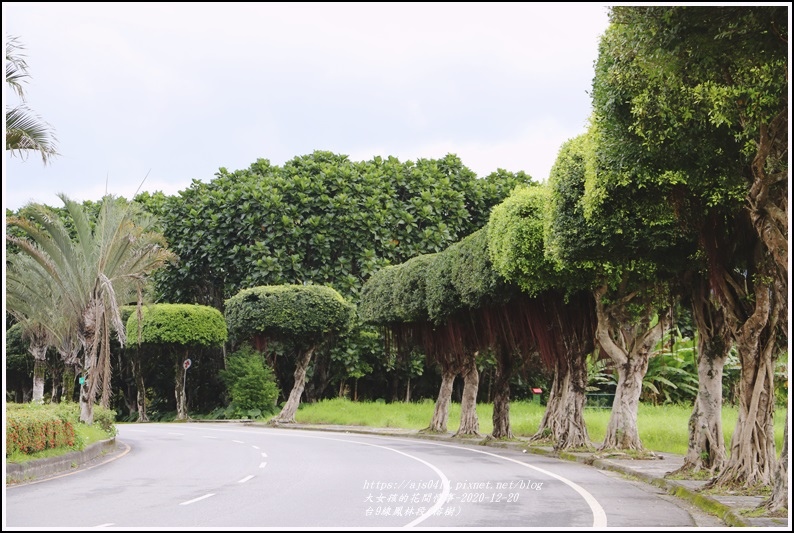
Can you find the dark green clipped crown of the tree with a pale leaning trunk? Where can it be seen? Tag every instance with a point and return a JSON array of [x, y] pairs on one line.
[[302, 314]]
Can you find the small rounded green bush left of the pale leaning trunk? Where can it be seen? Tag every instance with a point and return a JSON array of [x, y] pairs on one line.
[[251, 383]]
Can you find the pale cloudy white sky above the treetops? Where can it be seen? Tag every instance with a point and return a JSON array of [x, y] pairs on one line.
[[151, 96]]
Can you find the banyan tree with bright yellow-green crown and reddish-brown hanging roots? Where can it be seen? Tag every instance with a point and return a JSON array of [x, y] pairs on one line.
[[558, 315]]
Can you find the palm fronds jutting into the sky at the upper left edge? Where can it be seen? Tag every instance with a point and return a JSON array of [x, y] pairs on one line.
[[25, 131]]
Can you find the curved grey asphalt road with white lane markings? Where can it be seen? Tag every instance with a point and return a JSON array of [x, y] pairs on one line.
[[212, 476]]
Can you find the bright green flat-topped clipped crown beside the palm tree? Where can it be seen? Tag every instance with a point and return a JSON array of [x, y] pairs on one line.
[[180, 324]]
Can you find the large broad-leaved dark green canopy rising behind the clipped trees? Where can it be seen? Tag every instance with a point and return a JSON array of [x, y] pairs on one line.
[[320, 219]]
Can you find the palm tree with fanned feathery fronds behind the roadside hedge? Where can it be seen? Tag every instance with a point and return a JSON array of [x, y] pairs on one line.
[[105, 266]]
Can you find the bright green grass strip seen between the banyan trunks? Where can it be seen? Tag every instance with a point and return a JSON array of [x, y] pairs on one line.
[[662, 428]]
